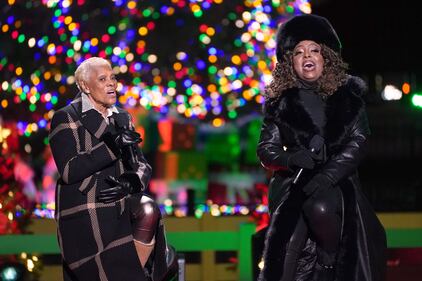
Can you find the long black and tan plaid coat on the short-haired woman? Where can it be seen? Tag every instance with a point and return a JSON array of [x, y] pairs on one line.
[[95, 239]]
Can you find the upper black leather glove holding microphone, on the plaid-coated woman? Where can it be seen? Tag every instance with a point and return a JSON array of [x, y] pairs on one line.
[[123, 138]]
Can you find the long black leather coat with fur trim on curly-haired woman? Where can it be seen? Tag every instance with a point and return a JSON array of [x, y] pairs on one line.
[[288, 127]]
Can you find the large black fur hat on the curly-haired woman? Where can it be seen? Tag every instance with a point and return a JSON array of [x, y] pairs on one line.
[[306, 27]]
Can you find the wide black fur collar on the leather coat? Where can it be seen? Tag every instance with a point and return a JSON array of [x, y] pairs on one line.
[[343, 107]]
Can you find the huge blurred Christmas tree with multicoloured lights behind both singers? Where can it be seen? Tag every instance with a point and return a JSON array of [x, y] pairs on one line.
[[207, 60]]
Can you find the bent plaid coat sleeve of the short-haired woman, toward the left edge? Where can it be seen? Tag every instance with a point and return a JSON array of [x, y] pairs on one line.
[[73, 164]]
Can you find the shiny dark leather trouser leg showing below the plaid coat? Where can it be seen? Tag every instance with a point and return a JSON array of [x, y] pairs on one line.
[[145, 214]]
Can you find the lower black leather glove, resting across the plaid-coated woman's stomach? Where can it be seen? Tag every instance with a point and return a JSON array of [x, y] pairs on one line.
[[127, 183]]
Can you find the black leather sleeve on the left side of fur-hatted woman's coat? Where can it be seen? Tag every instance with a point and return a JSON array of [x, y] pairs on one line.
[[270, 148]]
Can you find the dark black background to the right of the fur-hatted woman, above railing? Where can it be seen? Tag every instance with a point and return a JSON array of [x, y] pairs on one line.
[[384, 38]]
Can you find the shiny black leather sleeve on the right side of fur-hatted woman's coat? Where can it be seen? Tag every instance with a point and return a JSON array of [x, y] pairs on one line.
[[345, 162]]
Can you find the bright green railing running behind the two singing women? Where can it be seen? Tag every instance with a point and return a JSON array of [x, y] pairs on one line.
[[397, 237]]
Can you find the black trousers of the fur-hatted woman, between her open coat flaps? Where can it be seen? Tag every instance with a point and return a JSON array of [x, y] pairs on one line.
[[321, 220]]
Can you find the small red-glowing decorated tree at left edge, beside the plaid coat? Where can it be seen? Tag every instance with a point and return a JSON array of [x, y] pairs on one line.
[[15, 206]]
